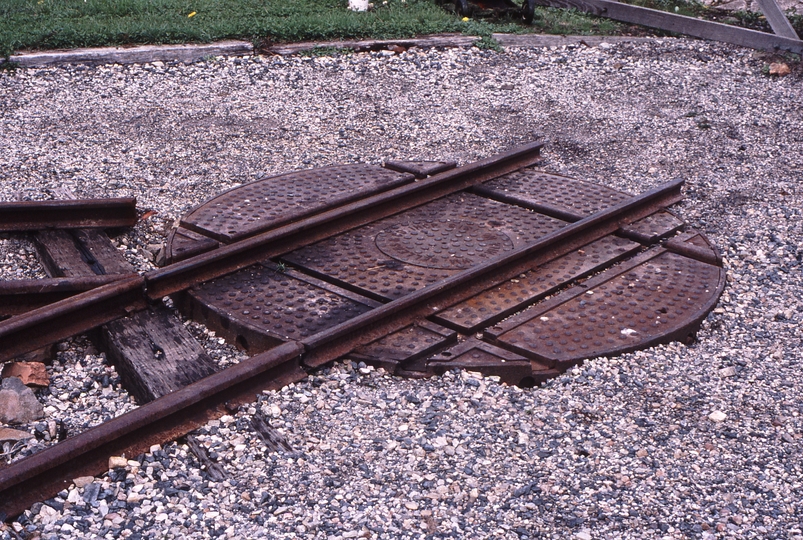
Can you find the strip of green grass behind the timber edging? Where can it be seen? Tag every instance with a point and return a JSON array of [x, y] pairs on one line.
[[53, 24]]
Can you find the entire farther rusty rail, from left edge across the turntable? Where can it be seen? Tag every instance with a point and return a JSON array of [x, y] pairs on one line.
[[102, 306]]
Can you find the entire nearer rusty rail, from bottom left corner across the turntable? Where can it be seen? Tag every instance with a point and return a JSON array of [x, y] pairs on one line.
[[44, 474]]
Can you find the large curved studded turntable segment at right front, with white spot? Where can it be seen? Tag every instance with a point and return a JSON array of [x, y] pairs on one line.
[[654, 298]]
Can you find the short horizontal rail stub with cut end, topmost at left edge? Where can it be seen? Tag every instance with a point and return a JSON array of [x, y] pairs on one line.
[[67, 214]]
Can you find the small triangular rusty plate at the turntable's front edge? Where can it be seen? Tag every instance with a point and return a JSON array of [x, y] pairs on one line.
[[476, 355]]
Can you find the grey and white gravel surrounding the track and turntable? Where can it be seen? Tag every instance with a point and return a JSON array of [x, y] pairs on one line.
[[676, 441]]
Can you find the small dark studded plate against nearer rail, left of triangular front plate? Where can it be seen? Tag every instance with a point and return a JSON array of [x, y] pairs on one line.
[[409, 344]]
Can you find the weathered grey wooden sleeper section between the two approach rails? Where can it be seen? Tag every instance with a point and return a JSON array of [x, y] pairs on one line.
[[155, 354]]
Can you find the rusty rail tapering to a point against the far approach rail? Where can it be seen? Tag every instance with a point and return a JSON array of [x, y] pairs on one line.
[[23, 295]]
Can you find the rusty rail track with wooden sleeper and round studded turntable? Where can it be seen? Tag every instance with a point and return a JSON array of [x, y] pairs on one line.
[[417, 267]]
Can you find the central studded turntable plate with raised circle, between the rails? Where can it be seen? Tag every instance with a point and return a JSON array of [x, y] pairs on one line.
[[395, 256]]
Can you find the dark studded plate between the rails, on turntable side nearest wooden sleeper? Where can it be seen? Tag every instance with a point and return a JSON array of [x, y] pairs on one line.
[[259, 307]]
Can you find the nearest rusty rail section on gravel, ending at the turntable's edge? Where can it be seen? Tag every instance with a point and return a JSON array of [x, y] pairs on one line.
[[41, 475]]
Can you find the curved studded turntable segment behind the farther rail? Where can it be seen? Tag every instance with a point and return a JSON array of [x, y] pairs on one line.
[[269, 203]]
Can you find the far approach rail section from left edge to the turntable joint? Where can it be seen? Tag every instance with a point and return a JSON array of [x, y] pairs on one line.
[[79, 313]]
